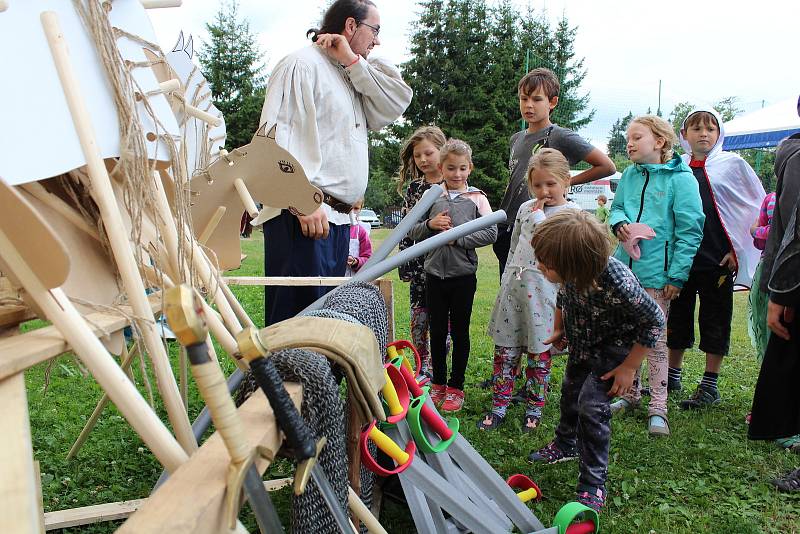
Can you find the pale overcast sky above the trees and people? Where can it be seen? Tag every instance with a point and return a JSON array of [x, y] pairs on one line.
[[701, 50]]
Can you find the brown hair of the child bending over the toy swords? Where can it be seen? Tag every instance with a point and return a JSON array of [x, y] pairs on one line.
[[575, 245]]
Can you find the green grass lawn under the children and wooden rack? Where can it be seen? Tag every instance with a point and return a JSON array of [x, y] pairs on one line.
[[707, 477]]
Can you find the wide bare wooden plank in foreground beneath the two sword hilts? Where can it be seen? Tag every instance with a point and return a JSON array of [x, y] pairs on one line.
[[192, 499]]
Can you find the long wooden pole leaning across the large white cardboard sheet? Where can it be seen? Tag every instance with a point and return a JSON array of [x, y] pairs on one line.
[[103, 195]]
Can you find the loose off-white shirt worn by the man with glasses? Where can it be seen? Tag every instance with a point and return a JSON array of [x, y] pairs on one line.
[[323, 112]]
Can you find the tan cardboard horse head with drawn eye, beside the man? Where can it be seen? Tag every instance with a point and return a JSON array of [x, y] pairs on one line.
[[271, 175]]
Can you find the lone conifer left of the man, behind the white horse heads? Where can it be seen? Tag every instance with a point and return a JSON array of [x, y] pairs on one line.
[[232, 64]]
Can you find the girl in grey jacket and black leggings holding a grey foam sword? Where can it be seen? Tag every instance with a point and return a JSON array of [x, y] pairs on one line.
[[450, 271]]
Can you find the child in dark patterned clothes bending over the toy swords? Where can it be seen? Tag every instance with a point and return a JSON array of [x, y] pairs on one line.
[[610, 322]]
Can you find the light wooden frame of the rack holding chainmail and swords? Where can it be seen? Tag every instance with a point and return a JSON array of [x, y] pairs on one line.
[[204, 472]]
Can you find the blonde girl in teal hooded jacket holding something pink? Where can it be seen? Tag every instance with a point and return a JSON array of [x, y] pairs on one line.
[[660, 191]]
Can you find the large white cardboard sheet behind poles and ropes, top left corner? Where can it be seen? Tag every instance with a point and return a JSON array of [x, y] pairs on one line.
[[37, 136]]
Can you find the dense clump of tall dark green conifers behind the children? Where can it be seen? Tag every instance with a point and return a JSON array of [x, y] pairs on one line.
[[466, 61]]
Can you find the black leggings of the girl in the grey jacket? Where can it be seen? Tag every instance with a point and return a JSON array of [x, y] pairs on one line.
[[450, 300]]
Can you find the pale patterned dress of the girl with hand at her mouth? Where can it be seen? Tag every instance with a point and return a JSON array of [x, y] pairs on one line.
[[524, 310]]
